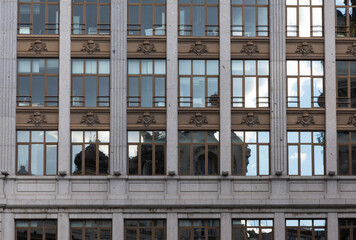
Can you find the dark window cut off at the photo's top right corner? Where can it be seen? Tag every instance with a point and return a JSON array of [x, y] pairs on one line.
[[345, 18]]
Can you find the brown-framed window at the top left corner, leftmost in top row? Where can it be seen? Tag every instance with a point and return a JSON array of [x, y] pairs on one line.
[[38, 17]]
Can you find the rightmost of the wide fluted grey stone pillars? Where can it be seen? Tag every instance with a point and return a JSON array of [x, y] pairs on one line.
[[278, 116]]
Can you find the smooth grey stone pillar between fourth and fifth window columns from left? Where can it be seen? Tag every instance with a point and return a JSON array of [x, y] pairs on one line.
[[225, 85]]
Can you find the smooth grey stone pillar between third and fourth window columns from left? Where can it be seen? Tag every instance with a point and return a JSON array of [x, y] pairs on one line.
[[172, 86]]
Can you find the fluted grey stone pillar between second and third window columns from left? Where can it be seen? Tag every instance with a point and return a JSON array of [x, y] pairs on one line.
[[118, 132]]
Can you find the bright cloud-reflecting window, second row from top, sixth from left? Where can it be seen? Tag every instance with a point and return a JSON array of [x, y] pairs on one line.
[[305, 84]]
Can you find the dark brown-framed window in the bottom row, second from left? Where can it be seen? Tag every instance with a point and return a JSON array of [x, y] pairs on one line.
[[90, 229]]
